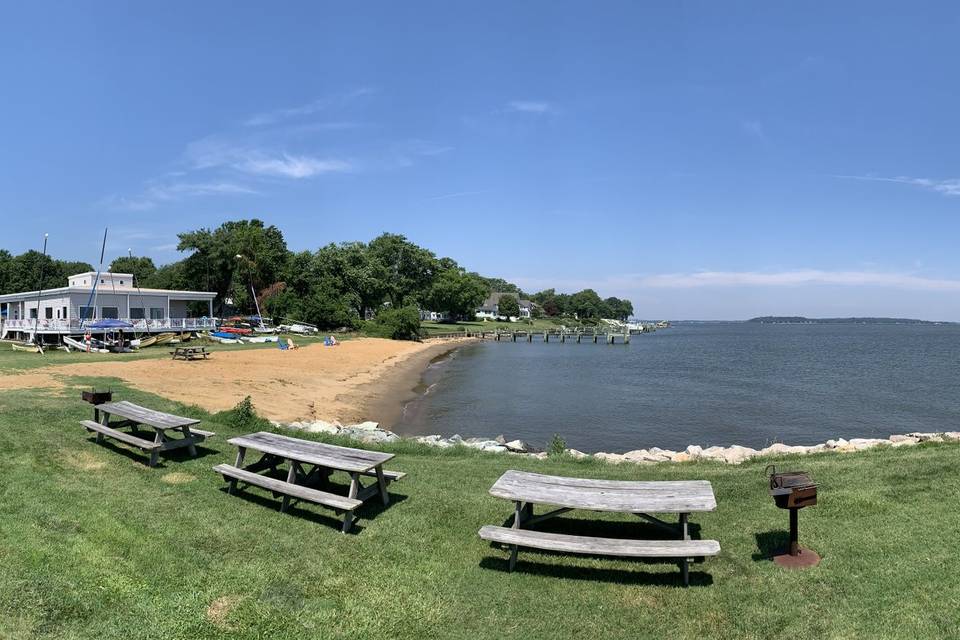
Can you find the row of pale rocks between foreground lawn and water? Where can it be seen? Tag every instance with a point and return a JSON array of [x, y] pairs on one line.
[[372, 433]]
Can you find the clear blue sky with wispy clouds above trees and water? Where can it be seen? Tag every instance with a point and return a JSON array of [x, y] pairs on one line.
[[706, 160]]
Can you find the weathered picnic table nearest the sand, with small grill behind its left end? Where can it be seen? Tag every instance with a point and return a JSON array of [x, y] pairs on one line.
[[135, 417]]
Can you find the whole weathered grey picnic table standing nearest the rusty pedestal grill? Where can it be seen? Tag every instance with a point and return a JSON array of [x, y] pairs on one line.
[[681, 498]]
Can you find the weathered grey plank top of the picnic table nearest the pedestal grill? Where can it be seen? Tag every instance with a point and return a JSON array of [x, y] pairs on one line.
[[685, 496]]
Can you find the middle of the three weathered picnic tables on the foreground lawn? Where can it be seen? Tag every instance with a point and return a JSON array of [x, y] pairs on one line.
[[310, 465]]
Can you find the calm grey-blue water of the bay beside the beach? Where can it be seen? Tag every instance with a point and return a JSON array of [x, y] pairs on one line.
[[709, 384]]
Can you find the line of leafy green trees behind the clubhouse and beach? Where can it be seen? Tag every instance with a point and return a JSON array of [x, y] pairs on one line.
[[338, 285]]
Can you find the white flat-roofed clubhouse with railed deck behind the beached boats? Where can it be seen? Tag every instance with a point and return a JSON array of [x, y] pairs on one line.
[[67, 310]]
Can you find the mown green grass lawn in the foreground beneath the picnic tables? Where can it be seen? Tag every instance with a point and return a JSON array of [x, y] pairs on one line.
[[94, 544]]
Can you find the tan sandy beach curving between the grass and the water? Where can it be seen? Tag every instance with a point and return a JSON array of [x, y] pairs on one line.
[[362, 379]]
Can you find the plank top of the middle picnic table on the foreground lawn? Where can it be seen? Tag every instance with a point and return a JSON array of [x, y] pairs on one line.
[[316, 453]]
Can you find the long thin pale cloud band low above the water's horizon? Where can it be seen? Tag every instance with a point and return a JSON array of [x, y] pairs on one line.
[[796, 278]]
